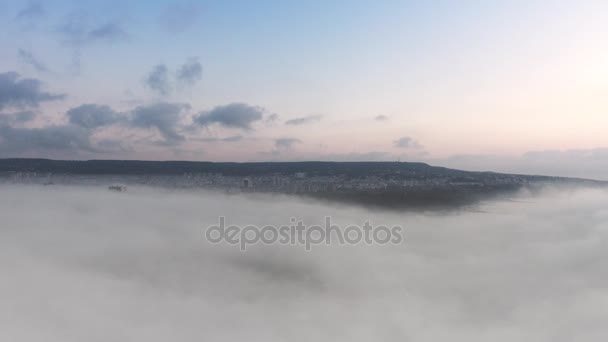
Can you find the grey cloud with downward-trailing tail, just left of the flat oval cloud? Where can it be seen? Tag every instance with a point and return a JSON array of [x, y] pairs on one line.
[[165, 117]]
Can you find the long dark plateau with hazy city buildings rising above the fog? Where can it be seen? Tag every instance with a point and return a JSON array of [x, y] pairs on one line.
[[398, 185]]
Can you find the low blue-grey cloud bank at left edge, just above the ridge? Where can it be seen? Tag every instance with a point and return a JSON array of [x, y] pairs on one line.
[[50, 138]]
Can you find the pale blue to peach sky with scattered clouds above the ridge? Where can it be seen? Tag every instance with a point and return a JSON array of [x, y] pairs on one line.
[[511, 86]]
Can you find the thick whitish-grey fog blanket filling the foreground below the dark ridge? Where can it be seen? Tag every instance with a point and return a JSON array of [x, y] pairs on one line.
[[85, 264]]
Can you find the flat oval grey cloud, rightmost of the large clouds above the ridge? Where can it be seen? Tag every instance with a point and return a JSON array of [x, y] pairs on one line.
[[233, 115]]
